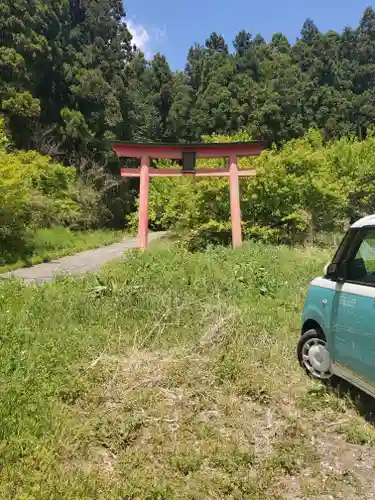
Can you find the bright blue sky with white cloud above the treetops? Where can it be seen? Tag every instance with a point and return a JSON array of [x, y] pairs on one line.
[[172, 26]]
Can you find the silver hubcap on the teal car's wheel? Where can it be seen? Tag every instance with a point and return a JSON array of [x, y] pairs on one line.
[[316, 358]]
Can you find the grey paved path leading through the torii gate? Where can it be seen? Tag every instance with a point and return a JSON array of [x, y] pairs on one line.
[[81, 263]]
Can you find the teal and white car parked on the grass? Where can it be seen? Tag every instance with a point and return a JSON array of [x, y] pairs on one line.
[[338, 325]]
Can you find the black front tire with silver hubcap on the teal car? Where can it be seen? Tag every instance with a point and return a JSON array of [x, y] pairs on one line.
[[313, 355]]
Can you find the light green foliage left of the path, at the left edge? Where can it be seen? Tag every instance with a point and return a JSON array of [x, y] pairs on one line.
[[35, 192]]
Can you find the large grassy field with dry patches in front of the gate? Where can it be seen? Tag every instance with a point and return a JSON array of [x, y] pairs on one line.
[[173, 376]]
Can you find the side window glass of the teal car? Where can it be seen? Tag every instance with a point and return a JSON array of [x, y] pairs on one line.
[[361, 268]]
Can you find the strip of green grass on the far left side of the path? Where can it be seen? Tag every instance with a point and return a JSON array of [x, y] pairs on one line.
[[57, 242]]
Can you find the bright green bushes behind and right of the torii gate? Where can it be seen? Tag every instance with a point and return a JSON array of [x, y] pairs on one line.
[[306, 188]]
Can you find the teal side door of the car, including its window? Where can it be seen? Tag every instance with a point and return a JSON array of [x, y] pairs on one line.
[[353, 312]]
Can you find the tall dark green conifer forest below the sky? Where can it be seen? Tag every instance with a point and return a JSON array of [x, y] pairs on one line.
[[72, 81]]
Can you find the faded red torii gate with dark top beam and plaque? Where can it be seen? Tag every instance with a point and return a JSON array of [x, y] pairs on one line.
[[188, 153]]
